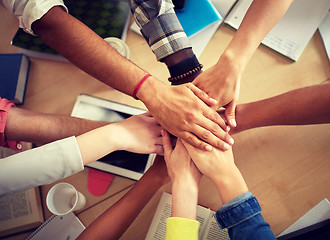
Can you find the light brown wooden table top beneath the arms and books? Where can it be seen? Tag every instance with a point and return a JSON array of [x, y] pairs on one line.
[[287, 168]]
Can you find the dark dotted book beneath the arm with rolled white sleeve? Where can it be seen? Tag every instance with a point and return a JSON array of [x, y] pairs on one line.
[[107, 18]]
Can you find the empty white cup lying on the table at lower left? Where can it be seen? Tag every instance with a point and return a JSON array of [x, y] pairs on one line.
[[63, 198]]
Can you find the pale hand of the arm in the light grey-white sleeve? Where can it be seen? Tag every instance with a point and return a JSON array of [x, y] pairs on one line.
[[140, 134]]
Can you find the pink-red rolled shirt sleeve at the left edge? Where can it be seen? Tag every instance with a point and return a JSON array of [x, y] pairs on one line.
[[4, 107]]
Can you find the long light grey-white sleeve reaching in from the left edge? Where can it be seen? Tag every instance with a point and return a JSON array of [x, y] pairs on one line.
[[39, 166]]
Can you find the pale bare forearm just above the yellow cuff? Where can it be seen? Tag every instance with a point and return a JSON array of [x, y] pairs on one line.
[[184, 198]]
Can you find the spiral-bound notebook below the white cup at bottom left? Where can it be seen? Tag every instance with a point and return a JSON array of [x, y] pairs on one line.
[[58, 227]]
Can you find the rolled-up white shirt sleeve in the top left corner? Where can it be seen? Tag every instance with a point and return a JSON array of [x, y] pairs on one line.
[[28, 11]]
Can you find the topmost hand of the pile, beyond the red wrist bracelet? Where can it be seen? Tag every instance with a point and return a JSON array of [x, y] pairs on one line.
[[183, 111]]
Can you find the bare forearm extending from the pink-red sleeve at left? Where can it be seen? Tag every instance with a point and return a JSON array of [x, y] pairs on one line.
[[28, 126]]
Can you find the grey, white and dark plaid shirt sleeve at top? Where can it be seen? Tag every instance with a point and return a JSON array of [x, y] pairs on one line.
[[159, 26]]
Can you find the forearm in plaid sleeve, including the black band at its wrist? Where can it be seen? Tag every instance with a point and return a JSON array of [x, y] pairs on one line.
[[156, 18]]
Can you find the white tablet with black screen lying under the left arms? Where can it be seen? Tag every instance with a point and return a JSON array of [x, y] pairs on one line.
[[122, 163]]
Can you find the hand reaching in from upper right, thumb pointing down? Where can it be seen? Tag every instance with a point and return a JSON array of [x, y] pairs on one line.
[[222, 82]]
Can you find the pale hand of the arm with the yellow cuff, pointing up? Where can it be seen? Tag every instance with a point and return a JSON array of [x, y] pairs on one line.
[[178, 162]]
